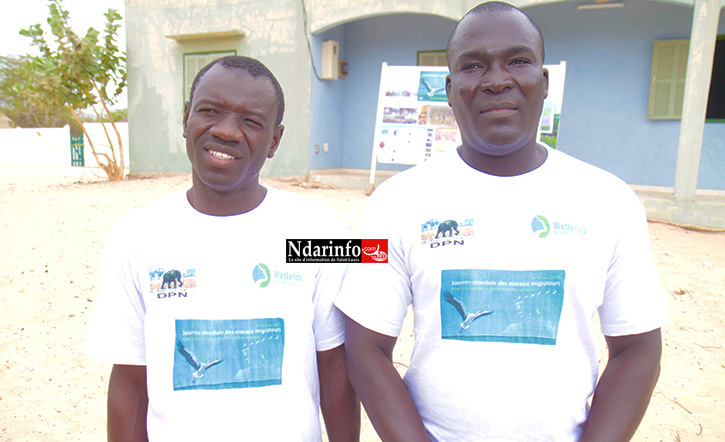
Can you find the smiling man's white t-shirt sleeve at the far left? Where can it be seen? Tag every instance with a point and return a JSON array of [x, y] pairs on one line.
[[116, 329]]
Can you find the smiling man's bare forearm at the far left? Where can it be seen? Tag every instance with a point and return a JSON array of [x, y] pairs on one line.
[[127, 403]]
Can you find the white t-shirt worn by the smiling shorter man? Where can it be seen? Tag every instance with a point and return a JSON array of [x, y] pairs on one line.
[[228, 331]]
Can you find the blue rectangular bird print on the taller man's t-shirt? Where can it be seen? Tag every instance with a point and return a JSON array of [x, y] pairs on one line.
[[520, 306]]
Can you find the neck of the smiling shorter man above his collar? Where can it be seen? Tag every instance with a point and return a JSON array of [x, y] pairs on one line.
[[233, 202]]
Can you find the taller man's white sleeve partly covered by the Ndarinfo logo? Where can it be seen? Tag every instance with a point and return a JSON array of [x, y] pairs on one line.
[[377, 295]]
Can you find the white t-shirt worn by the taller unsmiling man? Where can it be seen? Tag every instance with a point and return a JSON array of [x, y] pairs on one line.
[[504, 275]]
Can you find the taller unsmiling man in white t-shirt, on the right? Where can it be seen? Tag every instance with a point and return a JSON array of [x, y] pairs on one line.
[[505, 249]]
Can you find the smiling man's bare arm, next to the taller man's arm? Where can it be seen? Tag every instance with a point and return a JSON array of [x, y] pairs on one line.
[[338, 401]]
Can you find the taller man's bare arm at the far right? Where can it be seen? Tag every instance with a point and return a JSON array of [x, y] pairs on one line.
[[625, 388]]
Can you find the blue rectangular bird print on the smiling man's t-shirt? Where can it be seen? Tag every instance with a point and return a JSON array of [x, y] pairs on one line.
[[216, 354]]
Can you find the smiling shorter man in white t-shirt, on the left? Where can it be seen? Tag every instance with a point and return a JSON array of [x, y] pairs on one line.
[[213, 336]]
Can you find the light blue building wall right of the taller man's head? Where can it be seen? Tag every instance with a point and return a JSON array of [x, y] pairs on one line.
[[604, 113]]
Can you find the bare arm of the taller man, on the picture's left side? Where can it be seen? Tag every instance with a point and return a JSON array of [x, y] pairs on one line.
[[383, 393]]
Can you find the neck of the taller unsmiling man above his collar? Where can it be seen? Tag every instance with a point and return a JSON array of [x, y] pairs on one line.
[[516, 163]]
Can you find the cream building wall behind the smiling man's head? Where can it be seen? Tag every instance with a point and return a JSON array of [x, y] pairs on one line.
[[273, 34]]
